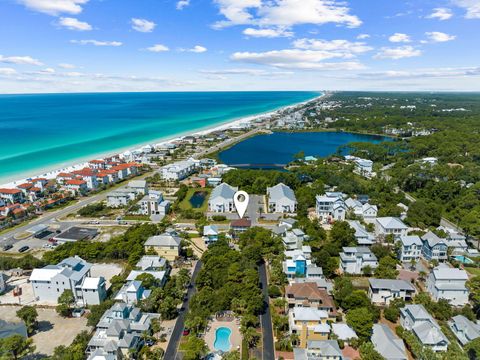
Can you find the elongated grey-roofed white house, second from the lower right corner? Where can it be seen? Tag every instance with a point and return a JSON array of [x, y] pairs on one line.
[[415, 318]]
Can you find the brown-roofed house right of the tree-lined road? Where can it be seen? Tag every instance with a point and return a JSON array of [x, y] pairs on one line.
[[308, 294]]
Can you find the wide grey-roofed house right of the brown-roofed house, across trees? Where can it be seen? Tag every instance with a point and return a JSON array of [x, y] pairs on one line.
[[382, 291]]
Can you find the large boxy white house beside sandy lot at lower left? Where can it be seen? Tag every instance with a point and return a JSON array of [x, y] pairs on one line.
[[73, 273]]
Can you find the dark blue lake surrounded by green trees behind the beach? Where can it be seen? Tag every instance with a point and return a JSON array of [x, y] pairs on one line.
[[277, 149]]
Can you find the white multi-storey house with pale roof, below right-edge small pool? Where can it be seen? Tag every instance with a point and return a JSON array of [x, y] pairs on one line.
[[448, 283]]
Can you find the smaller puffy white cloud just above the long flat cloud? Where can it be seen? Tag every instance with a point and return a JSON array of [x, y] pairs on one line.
[[342, 48]]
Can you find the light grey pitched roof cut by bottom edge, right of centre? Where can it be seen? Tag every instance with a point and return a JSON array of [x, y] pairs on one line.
[[387, 344]]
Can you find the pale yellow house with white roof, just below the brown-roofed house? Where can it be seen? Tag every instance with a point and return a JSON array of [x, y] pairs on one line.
[[309, 324]]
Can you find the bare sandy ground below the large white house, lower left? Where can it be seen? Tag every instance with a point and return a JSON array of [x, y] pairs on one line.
[[53, 329]]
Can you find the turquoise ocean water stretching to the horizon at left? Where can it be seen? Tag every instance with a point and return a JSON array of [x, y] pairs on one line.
[[39, 132]]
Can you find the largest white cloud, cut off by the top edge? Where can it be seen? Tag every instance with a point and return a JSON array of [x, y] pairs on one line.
[[285, 13]]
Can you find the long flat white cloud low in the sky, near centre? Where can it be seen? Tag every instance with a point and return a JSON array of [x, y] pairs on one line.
[[297, 59]]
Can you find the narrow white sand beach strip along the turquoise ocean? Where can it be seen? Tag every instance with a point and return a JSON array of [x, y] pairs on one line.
[[50, 172]]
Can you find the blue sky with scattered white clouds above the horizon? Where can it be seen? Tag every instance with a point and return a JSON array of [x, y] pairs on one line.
[[184, 45]]
